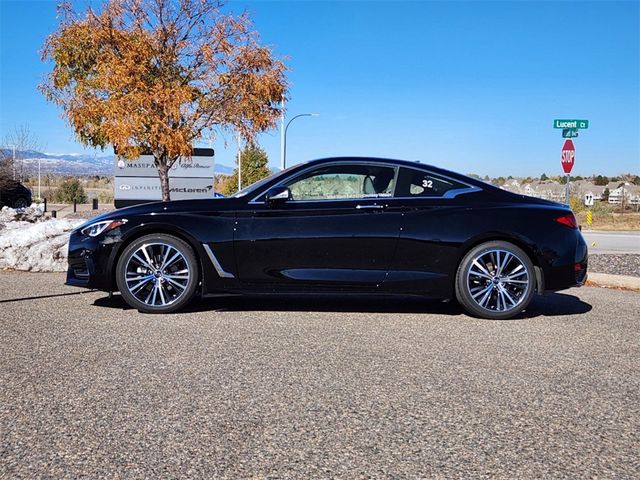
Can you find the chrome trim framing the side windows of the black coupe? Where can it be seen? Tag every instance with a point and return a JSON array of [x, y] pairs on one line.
[[453, 193]]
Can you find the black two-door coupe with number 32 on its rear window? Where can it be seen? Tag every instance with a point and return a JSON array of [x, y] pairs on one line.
[[347, 225]]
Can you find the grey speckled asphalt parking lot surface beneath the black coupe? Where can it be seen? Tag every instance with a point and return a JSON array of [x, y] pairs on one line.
[[315, 387]]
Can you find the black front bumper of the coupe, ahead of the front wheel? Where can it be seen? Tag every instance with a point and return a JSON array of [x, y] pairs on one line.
[[91, 260]]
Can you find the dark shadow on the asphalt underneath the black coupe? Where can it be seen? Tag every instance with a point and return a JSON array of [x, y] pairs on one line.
[[553, 304]]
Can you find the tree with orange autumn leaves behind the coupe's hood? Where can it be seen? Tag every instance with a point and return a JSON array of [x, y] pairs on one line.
[[155, 75]]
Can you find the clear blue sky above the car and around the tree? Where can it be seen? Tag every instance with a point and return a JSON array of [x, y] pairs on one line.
[[472, 86]]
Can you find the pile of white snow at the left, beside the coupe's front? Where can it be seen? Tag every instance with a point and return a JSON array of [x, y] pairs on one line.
[[29, 241]]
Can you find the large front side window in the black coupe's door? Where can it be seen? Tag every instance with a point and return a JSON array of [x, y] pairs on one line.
[[338, 182]]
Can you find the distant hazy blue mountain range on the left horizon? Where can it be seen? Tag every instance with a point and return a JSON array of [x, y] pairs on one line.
[[74, 163]]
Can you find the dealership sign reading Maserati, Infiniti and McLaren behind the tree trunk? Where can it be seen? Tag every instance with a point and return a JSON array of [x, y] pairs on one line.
[[137, 181]]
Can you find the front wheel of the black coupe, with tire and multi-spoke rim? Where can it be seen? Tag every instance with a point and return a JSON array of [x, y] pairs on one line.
[[157, 273]]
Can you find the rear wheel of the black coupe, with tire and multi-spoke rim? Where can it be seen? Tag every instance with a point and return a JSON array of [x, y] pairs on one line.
[[495, 280]]
